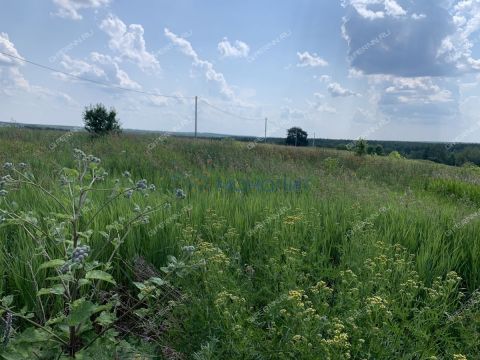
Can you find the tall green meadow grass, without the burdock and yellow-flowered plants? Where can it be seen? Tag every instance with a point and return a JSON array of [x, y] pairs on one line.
[[343, 197]]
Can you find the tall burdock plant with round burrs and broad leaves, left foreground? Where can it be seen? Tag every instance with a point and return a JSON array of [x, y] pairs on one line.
[[70, 317]]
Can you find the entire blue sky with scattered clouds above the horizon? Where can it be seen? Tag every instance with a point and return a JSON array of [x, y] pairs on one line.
[[377, 69]]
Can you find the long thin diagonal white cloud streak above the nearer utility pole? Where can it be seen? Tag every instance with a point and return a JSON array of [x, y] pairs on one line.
[[210, 73]]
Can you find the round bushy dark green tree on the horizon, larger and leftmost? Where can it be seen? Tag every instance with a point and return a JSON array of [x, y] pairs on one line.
[[100, 121]]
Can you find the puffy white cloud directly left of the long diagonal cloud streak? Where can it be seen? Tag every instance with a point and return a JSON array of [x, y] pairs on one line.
[[129, 43]]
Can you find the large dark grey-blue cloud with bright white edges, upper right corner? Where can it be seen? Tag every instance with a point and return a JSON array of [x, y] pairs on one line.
[[426, 38]]
